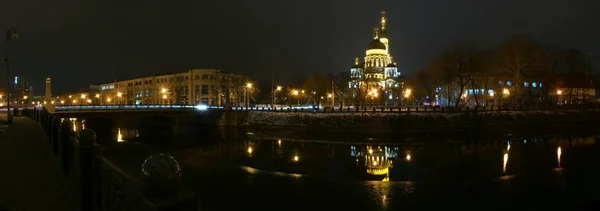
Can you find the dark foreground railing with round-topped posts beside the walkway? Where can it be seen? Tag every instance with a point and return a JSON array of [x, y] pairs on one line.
[[95, 183]]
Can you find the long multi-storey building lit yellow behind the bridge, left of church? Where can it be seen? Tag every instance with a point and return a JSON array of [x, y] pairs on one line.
[[193, 87]]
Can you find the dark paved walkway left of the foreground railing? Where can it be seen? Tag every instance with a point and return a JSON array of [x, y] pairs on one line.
[[30, 177]]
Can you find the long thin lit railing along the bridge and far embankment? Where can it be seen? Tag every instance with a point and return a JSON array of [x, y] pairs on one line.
[[348, 109]]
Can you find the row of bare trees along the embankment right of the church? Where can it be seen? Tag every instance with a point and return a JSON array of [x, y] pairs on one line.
[[518, 59]]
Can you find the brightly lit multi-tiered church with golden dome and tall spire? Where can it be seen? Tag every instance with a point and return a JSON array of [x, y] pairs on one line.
[[377, 76]]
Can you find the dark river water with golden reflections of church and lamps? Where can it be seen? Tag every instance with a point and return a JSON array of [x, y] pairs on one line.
[[233, 170]]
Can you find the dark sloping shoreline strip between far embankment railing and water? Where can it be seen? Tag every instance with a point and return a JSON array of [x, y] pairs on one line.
[[488, 124]]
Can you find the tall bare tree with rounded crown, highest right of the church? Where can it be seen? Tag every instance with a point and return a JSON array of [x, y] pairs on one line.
[[520, 57]]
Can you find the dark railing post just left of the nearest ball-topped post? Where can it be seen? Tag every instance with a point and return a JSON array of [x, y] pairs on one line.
[[85, 165]]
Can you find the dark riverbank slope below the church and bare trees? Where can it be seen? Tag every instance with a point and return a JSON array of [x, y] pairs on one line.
[[420, 123]]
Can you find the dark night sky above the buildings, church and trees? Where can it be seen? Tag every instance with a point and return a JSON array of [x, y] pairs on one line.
[[78, 42]]
